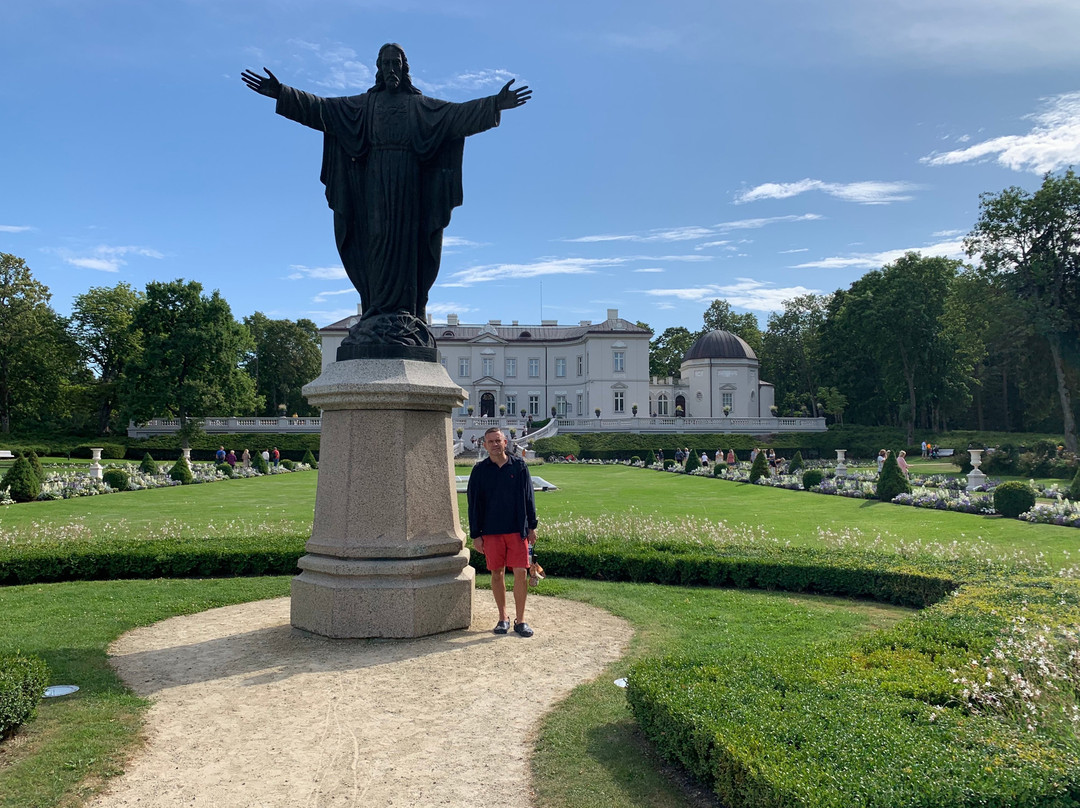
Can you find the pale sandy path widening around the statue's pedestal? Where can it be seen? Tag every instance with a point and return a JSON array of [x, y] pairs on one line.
[[247, 712]]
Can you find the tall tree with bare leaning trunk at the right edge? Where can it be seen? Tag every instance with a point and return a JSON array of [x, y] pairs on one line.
[[1031, 243]]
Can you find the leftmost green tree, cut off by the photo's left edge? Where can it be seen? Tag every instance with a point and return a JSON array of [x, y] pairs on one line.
[[38, 361]]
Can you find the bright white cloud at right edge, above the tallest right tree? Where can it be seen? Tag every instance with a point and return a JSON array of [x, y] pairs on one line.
[[1052, 144]]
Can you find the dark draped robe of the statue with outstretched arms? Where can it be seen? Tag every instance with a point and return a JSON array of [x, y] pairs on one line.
[[393, 171]]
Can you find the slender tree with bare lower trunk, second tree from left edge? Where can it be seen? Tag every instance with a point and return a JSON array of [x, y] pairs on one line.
[[103, 327]]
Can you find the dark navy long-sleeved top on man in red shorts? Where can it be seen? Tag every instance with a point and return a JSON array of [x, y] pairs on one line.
[[501, 499]]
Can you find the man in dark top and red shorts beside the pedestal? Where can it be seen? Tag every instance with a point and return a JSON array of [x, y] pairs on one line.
[[503, 522]]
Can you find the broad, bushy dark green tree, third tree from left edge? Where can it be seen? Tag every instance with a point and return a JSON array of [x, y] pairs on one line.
[[190, 363]]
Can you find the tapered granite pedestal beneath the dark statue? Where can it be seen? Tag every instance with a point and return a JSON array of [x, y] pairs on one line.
[[387, 557]]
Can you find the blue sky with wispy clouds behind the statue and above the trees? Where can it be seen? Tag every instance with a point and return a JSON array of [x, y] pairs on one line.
[[672, 154]]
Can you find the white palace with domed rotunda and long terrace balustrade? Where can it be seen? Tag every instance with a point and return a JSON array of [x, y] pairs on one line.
[[593, 378]]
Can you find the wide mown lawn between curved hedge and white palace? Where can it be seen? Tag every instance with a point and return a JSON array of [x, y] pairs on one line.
[[287, 503]]
